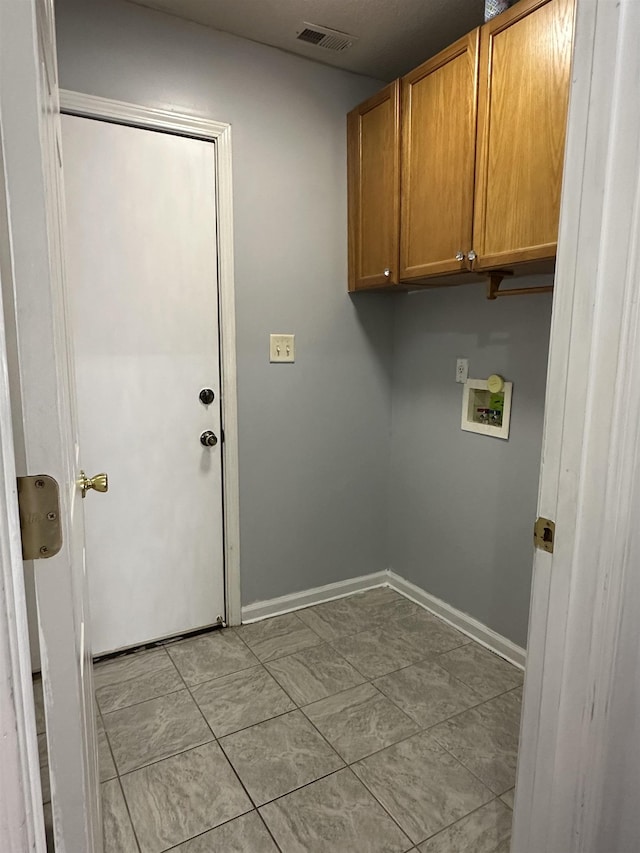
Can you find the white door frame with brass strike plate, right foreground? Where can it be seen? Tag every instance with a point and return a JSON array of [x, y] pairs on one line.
[[578, 720]]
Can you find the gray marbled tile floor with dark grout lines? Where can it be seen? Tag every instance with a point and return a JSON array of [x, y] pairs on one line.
[[363, 724]]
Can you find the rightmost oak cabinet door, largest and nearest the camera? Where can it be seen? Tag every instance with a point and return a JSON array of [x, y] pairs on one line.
[[525, 63]]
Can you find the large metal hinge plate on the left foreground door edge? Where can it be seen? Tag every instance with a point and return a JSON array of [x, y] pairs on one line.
[[39, 505]]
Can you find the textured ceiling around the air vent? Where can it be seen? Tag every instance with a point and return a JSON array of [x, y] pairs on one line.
[[394, 35]]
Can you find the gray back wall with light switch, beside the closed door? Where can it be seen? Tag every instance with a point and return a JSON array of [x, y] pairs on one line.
[[314, 436]]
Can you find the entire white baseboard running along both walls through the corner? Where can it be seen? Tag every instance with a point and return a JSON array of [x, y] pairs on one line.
[[462, 621]]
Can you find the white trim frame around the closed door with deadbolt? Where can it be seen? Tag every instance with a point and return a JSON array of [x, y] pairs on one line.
[[89, 106]]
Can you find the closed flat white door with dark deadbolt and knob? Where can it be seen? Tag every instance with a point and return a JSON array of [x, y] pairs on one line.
[[142, 265]]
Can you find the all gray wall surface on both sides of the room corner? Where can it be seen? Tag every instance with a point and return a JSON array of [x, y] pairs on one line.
[[319, 501]]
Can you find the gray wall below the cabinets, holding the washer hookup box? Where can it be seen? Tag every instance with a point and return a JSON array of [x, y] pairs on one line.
[[463, 504]]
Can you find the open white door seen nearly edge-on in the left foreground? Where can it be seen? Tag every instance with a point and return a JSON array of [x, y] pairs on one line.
[[43, 410]]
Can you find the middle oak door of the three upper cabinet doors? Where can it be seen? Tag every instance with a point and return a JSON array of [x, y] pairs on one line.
[[438, 158]]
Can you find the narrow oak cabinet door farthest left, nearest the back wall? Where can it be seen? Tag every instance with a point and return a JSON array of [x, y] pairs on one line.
[[373, 165]]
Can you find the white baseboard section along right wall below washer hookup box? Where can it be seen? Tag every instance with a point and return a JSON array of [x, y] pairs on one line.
[[462, 621]]
